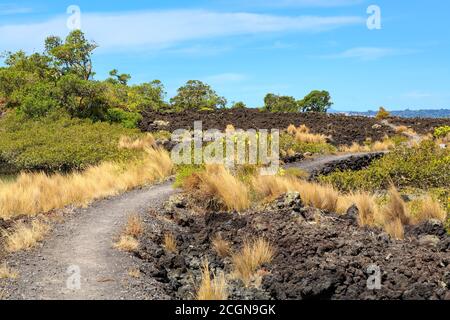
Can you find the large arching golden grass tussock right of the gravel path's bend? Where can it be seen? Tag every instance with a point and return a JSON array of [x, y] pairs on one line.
[[218, 182]]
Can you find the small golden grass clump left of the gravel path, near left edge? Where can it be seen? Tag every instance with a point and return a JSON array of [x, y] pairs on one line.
[[25, 237]]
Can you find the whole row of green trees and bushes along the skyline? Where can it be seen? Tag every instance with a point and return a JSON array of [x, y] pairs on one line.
[[62, 79]]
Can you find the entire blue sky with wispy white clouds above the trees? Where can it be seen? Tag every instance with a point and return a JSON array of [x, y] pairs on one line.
[[247, 48]]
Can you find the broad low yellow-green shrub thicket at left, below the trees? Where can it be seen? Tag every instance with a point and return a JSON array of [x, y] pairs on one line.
[[59, 144]]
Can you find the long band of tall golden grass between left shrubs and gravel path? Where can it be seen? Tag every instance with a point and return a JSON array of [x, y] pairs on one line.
[[34, 193]]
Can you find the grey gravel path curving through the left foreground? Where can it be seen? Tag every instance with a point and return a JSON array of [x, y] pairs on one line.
[[84, 243]]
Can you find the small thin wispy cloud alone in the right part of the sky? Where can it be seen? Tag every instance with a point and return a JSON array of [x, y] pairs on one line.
[[369, 53]]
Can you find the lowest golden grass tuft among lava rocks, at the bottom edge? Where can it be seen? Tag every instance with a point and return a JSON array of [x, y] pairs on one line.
[[215, 289]]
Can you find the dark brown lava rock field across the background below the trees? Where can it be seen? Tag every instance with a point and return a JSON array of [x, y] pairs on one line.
[[343, 129]]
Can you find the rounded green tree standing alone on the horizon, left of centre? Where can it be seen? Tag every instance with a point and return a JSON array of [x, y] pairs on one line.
[[197, 95]]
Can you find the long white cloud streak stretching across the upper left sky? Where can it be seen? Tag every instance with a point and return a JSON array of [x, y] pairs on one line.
[[162, 29]]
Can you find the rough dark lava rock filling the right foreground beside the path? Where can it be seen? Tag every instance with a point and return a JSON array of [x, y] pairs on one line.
[[318, 255]]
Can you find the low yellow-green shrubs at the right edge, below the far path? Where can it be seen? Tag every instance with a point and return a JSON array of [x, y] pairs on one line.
[[424, 166]]
